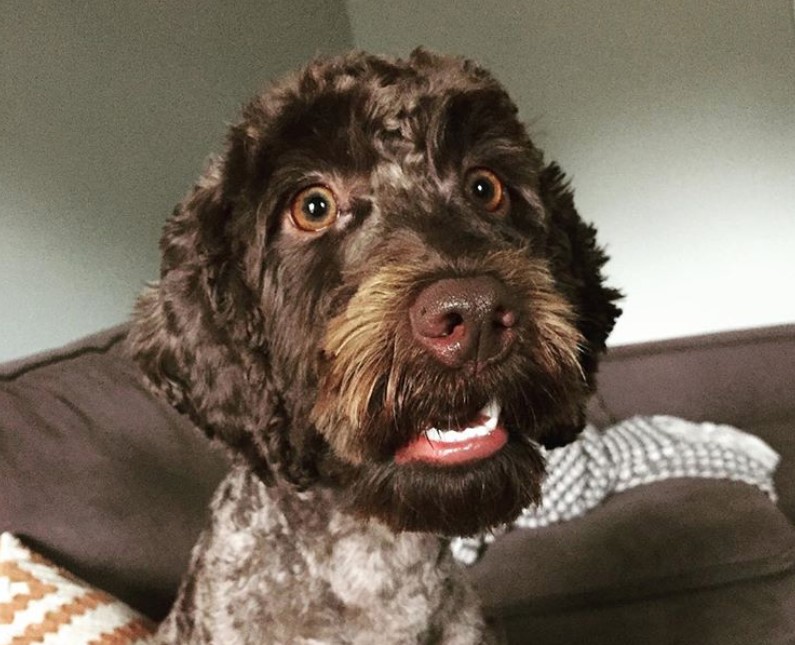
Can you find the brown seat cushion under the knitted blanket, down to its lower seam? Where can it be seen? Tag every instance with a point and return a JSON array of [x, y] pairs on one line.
[[669, 537]]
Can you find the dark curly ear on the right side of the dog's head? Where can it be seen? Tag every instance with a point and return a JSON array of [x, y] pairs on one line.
[[576, 262]]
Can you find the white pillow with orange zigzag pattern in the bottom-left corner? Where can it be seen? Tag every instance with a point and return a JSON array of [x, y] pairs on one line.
[[40, 603]]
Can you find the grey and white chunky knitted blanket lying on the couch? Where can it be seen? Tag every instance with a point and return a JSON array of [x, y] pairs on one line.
[[640, 450]]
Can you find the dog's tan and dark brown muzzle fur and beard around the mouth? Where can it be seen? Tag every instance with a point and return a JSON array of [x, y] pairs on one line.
[[380, 396]]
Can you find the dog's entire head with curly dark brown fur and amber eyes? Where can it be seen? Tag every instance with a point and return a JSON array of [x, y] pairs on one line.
[[381, 286]]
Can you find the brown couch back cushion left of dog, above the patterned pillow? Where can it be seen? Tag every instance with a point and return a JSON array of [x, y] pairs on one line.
[[100, 476]]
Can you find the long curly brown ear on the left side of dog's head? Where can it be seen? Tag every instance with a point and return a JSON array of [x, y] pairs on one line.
[[198, 333]]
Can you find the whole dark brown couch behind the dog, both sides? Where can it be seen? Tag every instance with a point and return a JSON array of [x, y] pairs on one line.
[[110, 483]]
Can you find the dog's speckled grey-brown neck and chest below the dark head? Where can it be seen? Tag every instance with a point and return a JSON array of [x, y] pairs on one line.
[[293, 568]]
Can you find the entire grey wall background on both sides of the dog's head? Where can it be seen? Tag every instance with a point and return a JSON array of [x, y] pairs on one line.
[[675, 119]]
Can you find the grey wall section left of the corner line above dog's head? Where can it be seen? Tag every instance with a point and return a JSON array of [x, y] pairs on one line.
[[107, 113]]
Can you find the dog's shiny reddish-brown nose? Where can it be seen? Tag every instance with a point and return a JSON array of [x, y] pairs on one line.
[[464, 320]]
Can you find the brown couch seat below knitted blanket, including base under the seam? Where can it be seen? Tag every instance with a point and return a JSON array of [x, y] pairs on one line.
[[682, 561]]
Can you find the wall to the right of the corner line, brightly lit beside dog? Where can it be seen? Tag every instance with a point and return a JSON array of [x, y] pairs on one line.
[[676, 121]]
